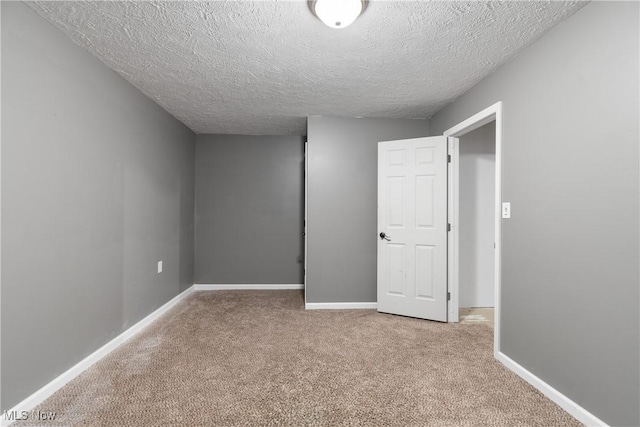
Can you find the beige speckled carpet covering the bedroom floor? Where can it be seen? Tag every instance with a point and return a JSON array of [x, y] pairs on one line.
[[258, 358]]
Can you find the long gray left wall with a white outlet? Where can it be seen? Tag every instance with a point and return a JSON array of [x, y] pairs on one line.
[[97, 186]]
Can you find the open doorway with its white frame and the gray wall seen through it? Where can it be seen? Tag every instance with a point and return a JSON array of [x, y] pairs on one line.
[[474, 206]]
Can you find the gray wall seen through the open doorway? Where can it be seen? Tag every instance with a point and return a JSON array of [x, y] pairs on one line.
[[477, 167]]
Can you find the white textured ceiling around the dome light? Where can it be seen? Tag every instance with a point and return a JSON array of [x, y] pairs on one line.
[[262, 67]]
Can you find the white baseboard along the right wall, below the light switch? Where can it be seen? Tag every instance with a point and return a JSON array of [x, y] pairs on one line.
[[560, 399]]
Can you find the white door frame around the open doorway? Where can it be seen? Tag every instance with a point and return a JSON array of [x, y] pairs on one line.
[[485, 116]]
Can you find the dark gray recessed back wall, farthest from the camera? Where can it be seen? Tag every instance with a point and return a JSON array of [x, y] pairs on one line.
[[249, 209]]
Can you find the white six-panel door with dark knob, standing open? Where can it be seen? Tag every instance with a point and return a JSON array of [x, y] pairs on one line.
[[412, 227]]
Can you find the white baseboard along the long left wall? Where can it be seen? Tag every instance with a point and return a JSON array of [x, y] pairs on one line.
[[45, 392]]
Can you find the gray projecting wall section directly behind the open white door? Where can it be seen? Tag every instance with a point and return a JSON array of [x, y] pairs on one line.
[[342, 203]]
